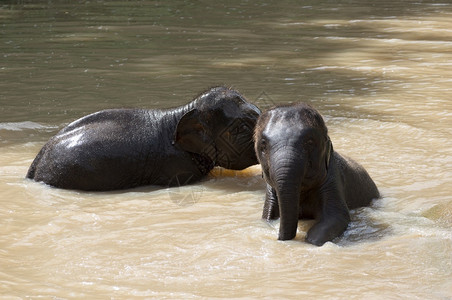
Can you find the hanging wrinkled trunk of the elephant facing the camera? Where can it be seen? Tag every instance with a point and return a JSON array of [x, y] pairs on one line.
[[288, 176]]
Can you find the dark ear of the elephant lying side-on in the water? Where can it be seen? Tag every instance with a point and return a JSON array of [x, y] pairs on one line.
[[191, 133]]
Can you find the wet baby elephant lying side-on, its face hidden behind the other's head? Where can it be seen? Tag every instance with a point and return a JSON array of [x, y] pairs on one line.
[[124, 148]]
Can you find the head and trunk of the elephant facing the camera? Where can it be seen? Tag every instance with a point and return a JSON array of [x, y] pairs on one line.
[[293, 148]]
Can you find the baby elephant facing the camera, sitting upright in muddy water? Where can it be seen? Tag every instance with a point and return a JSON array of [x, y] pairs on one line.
[[305, 177]]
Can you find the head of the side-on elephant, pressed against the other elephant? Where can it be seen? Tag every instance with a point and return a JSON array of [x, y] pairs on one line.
[[220, 128]]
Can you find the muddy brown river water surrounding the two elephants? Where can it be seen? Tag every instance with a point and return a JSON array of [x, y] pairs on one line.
[[379, 72]]
